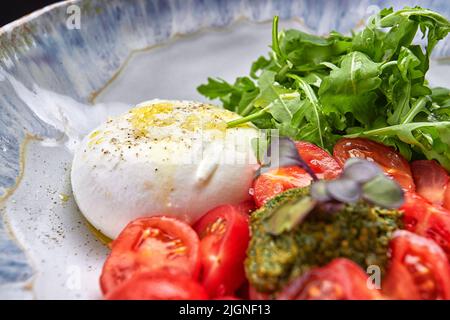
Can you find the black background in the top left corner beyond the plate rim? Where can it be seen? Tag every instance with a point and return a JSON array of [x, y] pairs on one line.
[[12, 10]]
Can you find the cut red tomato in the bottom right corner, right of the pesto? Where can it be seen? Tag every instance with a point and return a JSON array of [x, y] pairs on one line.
[[418, 269]]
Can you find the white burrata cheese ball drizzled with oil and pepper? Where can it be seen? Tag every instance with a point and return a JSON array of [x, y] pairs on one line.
[[173, 158]]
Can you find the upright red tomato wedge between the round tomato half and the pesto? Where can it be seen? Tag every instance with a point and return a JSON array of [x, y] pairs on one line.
[[224, 237]]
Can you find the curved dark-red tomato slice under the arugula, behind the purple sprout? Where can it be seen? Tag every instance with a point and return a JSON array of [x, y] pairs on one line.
[[389, 160]]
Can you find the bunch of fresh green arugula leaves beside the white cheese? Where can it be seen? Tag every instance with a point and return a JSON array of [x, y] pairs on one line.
[[371, 84]]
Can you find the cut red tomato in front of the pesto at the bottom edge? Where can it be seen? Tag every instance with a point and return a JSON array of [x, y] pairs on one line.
[[341, 279]]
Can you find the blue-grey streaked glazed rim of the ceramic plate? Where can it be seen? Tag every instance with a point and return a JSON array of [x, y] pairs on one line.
[[39, 52]]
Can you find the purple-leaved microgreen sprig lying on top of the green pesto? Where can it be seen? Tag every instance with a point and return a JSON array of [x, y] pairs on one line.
[[360, 180]]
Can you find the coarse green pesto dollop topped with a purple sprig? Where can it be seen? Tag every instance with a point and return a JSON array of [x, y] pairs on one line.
[[360, 232]]
